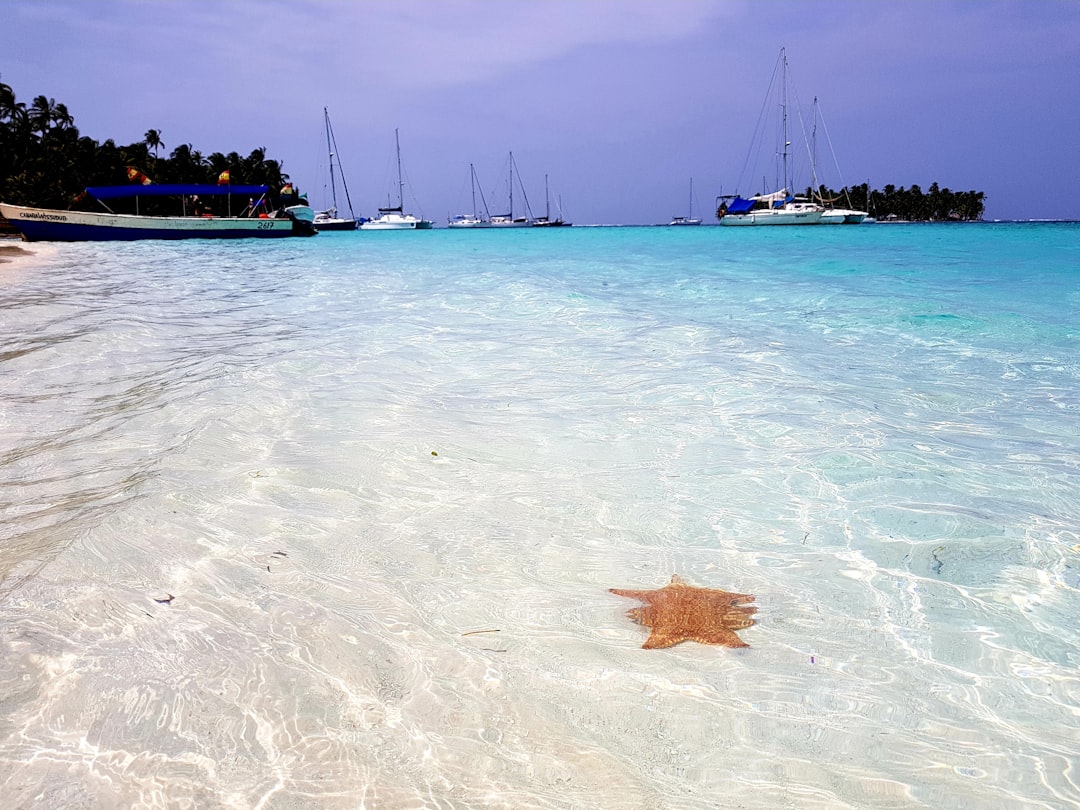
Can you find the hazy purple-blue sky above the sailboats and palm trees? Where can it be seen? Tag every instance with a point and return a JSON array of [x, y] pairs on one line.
[[620, 103]]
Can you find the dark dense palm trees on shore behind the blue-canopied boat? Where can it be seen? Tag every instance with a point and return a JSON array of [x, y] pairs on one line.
[[46, 163]]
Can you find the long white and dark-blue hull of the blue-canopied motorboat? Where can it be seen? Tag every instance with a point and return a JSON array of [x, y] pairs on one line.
[[49, 225]]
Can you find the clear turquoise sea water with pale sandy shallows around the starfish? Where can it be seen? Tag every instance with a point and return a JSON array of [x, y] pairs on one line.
[[331, 523]]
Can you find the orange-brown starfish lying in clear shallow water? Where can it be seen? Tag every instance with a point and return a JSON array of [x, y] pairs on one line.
[[682, 613]]
